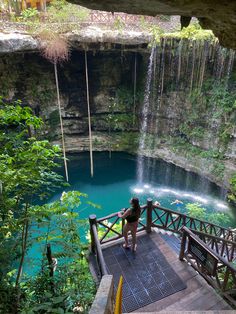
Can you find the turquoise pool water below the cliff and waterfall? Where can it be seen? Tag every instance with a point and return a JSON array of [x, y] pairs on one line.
[[115, 182]]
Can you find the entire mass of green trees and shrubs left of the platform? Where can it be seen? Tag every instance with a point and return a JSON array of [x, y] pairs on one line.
[[27, 167]]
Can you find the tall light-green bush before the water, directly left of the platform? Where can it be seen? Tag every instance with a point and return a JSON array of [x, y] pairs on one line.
[[72, 281]]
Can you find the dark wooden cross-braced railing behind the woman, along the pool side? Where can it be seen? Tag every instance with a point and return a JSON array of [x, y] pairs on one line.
[[110, 227]]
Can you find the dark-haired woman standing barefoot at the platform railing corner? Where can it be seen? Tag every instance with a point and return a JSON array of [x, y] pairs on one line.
[[132, 216]]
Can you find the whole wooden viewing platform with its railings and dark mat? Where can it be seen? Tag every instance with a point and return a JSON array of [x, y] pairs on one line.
[[165, 274]]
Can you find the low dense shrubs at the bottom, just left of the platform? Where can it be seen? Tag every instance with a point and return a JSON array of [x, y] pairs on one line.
[[74, 290]]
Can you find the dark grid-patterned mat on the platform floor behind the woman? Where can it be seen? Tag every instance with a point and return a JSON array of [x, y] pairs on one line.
[[148, 277]]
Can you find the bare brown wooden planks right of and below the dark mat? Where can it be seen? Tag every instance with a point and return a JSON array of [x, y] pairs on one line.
[[198, 296]]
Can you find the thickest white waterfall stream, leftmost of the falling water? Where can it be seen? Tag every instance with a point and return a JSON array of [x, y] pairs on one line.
[[144, 117]]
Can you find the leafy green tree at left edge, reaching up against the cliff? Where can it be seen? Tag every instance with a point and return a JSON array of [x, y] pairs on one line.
[[27, 172]]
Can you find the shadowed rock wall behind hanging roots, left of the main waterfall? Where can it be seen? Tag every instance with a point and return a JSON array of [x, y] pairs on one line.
[[29, 77]]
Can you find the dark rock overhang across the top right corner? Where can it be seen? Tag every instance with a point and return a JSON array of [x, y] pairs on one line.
[[218, 15]]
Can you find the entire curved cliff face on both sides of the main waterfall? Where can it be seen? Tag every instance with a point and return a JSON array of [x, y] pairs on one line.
[[188, 123]]
